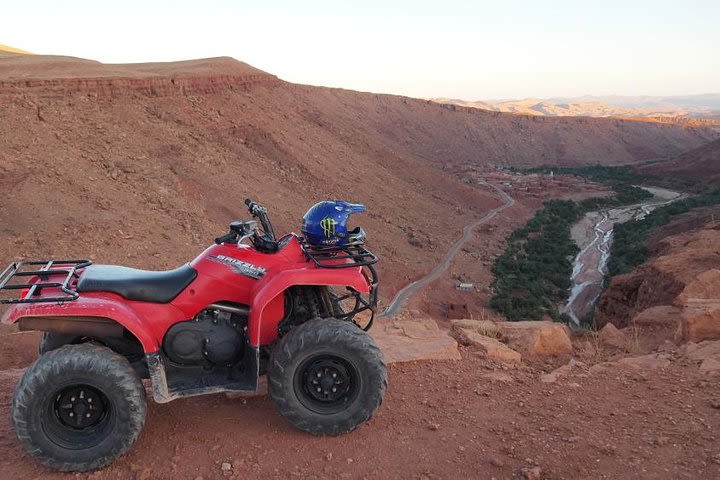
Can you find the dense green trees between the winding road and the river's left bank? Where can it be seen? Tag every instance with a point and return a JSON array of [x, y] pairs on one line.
[[532, 276]]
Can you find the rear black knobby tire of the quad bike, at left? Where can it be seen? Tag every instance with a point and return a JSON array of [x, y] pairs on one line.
[[55, 395]]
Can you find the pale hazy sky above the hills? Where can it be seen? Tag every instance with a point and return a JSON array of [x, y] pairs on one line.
[[452, 48]]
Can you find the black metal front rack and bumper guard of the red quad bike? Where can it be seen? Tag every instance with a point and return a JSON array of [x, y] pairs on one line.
[[355, 255]]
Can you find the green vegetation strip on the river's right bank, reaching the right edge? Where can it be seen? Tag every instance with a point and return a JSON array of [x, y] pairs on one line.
[[628, 249]]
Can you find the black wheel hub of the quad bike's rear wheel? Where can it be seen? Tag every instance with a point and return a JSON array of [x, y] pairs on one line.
[[80, 407]]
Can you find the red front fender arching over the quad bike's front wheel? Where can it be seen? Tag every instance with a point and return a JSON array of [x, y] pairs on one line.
[[262, 330]]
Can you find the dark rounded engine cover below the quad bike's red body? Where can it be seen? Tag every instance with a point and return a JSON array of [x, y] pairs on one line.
[[211, 338]]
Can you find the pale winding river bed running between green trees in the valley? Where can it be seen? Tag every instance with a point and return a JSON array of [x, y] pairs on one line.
[[593, 235]]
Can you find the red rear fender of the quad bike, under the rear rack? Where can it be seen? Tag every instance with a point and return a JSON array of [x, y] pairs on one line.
[[147, 321]]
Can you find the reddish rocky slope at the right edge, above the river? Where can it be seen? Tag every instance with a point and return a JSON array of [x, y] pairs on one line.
[[677, 290]]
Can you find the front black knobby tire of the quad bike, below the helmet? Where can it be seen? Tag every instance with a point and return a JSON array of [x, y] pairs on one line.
[[331, 349]]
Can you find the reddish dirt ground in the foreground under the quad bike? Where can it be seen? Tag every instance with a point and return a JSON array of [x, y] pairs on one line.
[[441, 419]]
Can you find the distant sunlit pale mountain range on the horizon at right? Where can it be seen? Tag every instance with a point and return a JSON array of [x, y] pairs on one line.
[[705, 105]]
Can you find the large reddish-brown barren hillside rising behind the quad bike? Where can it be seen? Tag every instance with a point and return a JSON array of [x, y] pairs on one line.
[[145, 164]]
